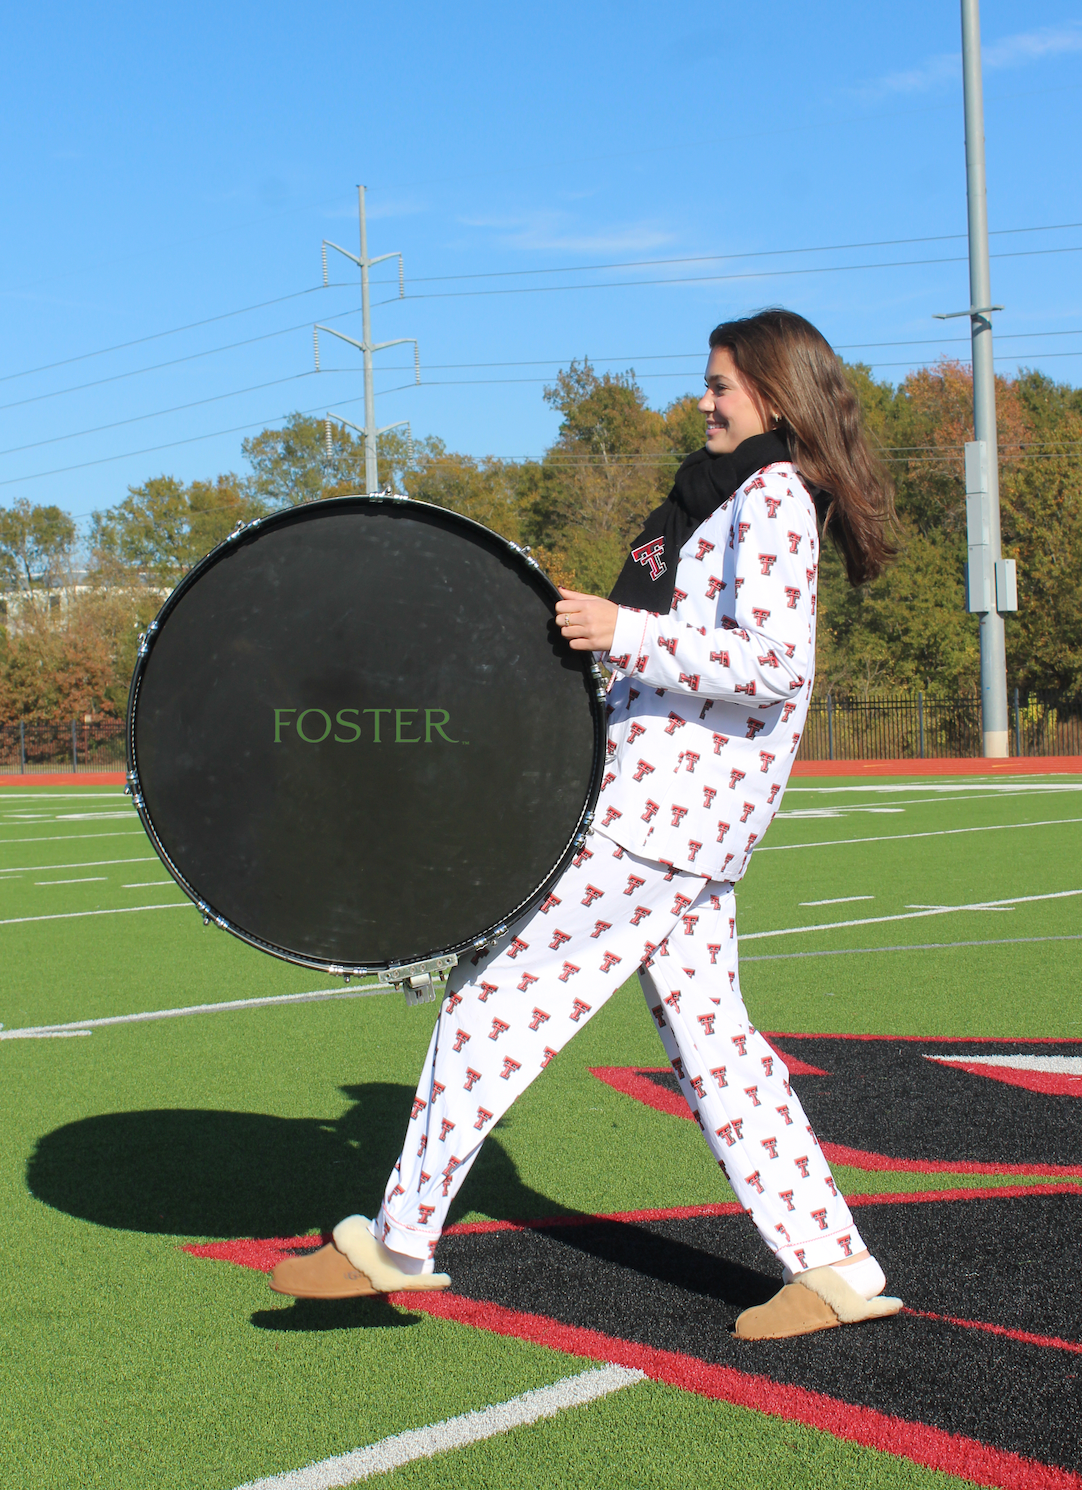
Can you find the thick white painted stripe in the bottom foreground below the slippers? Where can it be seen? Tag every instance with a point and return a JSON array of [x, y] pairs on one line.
[[454, 1433]]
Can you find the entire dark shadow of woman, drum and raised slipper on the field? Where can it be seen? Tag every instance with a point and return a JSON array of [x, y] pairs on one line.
[[203, 1175]]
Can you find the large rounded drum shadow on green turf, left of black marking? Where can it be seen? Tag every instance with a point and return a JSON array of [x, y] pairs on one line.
[[199, 1173]]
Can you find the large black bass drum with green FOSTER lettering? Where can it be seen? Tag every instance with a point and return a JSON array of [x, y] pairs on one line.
[[357, 738]]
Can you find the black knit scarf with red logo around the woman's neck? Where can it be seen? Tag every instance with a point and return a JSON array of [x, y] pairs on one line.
[[704, 484]]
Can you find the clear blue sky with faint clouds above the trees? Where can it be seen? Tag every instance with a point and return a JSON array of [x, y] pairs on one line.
[[166, 166]]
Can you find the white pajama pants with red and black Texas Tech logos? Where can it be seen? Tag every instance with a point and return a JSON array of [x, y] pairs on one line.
[[512, 1011]]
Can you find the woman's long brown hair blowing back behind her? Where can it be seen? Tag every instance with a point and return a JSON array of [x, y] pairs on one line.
[[792, 370]]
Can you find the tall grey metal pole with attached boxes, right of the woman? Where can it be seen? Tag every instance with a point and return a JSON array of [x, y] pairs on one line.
[[990, 580]]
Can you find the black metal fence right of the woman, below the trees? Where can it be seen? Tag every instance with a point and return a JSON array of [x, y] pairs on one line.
[[926, 726]]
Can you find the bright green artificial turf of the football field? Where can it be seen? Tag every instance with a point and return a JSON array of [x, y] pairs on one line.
[[126, 1363]]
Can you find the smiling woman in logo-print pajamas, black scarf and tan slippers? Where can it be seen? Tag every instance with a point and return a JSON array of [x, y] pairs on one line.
[[710, 637]]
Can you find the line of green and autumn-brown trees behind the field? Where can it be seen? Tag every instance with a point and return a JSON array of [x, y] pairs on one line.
[[71, 610]]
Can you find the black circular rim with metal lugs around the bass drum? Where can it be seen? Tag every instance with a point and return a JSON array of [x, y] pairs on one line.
[[211, 914]]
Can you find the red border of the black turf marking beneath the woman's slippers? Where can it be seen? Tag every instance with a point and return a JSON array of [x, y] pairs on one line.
[[926, 1446]]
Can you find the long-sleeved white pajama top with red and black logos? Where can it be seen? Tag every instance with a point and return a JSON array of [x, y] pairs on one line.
[[707, 704]]
